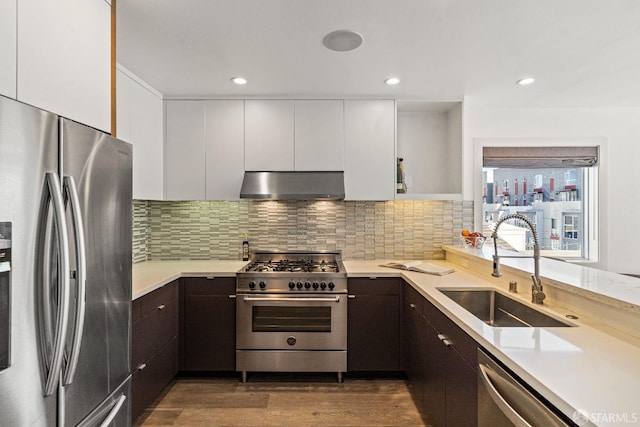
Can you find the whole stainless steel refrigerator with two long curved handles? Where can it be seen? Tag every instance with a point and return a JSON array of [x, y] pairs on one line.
[[65, 277]]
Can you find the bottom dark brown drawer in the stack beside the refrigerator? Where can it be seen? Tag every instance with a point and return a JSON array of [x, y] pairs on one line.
[[148, 382]]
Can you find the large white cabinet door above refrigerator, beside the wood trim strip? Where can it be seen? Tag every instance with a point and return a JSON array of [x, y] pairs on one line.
[[64, 57]]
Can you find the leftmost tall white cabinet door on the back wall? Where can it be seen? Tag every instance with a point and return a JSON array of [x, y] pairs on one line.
[[185, 150]]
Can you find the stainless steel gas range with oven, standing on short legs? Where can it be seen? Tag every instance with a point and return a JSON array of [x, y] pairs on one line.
[[292, 313]]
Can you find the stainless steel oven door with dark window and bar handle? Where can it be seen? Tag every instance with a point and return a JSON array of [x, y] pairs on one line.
[[286, 322]]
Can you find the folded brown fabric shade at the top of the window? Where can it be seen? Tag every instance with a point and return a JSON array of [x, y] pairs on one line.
[[539, 157]]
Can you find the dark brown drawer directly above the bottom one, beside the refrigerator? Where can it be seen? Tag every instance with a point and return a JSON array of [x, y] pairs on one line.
[[154, 330]]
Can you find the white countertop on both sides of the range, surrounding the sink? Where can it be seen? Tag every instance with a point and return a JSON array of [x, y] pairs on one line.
[[576, 368]]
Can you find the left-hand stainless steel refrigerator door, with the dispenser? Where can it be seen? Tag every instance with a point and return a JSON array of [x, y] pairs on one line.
[[28, 151]]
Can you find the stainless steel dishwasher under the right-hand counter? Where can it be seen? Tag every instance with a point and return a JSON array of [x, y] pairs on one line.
[[504, 401]]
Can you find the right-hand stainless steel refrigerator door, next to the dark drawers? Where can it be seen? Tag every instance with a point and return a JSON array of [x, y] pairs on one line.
[[100, 167]]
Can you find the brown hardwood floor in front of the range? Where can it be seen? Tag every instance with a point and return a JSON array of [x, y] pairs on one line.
[[283, 400]]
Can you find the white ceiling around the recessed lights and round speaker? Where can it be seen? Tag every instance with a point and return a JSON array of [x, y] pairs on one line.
[[582, 52]]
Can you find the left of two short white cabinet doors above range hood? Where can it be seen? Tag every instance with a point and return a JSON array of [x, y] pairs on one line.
[[269, 135]]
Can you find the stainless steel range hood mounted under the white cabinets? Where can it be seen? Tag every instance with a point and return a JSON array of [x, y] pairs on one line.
[[293, 185]]
